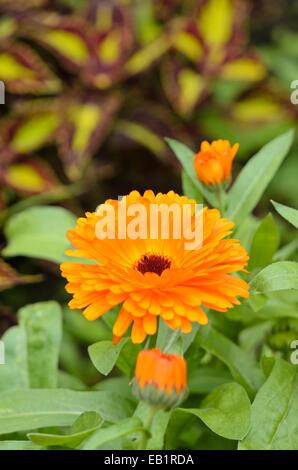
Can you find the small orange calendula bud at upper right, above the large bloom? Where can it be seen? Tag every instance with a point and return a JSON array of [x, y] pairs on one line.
[[213, 163]]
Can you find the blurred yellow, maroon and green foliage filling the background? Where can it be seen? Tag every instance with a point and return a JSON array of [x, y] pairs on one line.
[[92, 89]]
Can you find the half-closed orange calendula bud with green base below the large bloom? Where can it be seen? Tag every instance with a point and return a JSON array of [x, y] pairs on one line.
[[160, 378]]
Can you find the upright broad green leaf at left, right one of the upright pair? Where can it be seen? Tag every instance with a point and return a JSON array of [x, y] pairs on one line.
[[42, 323]]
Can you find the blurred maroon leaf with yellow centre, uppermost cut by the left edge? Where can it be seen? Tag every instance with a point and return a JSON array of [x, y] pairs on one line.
[[23, 71]]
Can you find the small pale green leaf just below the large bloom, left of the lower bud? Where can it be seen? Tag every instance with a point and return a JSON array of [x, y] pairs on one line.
[[104, 355]]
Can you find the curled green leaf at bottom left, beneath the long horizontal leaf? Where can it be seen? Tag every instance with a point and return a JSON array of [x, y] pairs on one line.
[[82, 428]]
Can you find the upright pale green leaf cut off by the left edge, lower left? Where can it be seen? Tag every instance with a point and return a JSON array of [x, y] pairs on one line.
[[14, 373]]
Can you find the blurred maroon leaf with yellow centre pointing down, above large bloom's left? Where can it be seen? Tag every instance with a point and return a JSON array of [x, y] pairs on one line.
[[86, 121]]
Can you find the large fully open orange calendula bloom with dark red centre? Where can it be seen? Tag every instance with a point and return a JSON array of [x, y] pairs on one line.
[[154, 277]]
